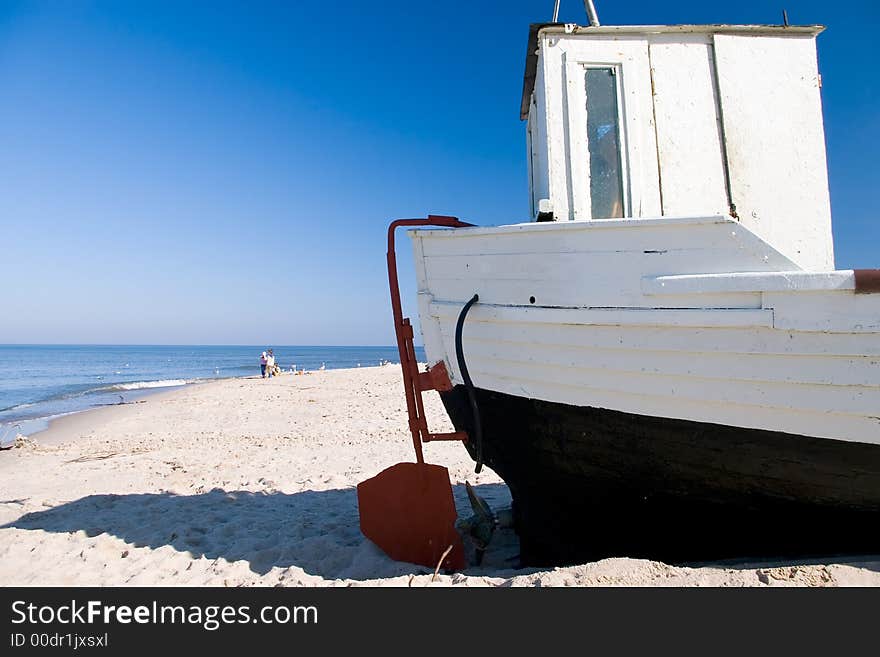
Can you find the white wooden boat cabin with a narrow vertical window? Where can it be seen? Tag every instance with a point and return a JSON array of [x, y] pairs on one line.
[[681, 121]]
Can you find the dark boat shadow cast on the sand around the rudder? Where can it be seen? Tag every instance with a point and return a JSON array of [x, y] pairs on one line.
[[317, 531]]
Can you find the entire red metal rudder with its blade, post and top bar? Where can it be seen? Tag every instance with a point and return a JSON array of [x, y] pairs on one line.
[[408, 509]]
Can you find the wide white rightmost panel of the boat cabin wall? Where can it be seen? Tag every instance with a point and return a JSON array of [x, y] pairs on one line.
[[769, 94]]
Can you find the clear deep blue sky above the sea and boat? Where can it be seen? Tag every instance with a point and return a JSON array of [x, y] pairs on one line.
[[224, 173]]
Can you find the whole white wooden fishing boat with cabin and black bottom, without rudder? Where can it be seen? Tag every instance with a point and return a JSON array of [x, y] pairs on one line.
[[664, 362]]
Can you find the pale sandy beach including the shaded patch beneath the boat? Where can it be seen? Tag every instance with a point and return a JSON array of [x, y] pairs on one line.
[[251, 482]]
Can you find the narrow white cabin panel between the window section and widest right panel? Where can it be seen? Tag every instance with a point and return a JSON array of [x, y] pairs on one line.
[[688, 132]]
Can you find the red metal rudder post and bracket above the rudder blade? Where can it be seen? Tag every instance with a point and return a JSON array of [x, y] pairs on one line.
[[415, 382]]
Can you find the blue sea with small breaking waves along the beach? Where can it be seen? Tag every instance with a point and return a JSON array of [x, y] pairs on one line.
[[39, 383]]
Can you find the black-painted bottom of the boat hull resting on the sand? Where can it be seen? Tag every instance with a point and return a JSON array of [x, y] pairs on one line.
[[591, 483]]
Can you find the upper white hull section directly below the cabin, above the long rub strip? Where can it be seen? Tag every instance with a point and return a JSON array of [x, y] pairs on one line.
[[592, 263]]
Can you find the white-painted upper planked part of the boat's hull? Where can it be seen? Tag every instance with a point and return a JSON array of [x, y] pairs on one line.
[[745, 338]]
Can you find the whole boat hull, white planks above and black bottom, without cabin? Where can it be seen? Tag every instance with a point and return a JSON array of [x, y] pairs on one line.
[[670, 388]]
